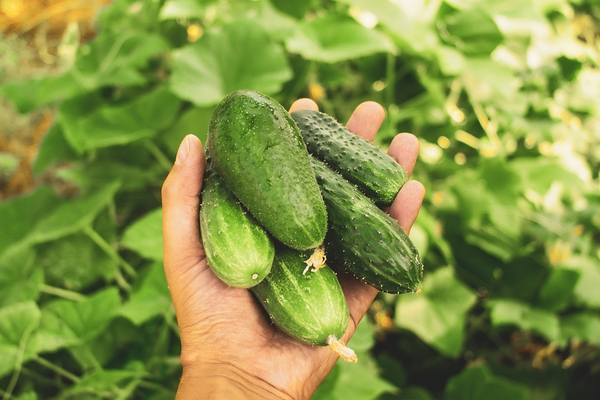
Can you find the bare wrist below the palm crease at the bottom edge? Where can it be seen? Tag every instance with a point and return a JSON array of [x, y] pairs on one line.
[[223, 381]]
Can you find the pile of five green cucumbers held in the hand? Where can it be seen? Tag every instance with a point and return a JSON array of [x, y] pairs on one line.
[[284, 192]]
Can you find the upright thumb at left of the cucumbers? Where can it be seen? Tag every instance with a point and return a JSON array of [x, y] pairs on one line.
[[180, 202]]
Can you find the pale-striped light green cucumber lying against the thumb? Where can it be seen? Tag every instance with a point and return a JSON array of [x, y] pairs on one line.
[[238, 249]]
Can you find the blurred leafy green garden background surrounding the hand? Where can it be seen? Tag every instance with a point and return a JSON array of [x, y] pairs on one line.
[[504, 96]]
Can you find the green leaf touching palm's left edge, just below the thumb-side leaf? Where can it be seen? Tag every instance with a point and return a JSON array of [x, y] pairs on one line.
[[152, 298]]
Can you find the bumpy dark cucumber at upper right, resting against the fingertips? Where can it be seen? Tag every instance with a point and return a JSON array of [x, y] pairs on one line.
[[378, 175]]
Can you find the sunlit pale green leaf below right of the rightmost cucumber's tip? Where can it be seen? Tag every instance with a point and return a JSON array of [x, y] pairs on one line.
[[437, 315]]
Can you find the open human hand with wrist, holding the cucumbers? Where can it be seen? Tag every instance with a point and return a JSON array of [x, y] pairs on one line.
[[230, 349]]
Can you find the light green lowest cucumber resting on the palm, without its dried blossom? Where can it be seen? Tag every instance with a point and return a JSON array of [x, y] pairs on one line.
[[308, 307]]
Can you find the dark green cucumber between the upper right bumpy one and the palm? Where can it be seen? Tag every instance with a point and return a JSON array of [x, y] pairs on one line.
[[364, 240]]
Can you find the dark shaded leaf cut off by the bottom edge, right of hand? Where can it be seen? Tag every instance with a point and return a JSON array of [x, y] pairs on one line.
[[478, 383]]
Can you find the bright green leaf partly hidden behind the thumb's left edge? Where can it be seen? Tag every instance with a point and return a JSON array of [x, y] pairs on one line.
[[145, 235]]
